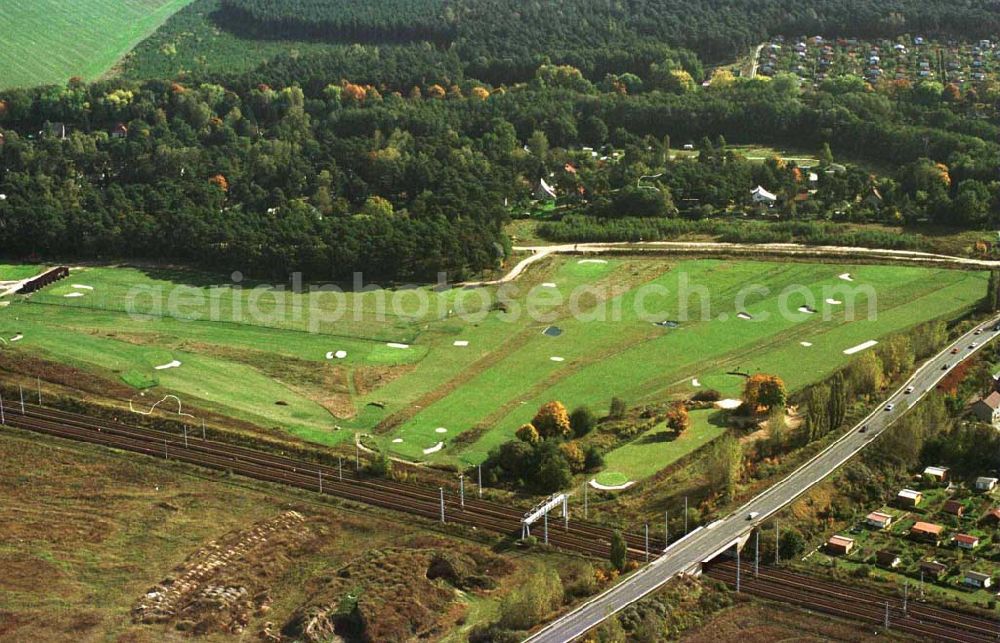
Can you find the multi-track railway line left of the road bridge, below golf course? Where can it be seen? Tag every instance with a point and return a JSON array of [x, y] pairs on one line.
[[580, 536]]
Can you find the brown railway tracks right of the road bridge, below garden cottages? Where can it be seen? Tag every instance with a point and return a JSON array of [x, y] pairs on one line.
[[929, 622]]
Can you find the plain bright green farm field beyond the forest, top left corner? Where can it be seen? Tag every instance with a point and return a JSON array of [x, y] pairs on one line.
[[50, 41]]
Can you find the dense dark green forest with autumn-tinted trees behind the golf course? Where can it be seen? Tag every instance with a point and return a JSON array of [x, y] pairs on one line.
[[398, 161]]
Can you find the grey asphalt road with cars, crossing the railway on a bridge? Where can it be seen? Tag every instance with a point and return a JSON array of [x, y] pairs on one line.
[[686, 555]]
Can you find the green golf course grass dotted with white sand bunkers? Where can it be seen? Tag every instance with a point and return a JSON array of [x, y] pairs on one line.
[[262, 356]]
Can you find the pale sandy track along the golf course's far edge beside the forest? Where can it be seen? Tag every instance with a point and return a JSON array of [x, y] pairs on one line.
[[754, 249]]
